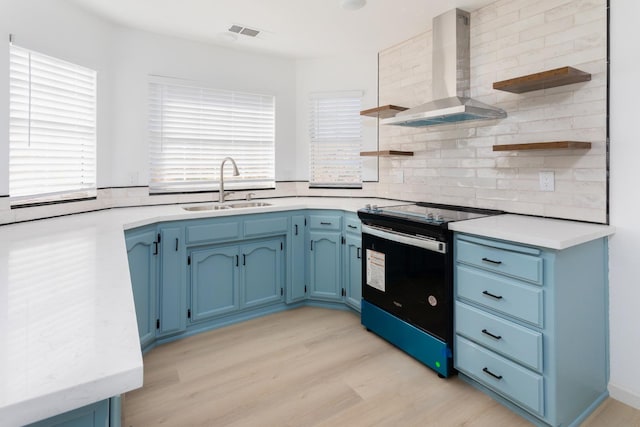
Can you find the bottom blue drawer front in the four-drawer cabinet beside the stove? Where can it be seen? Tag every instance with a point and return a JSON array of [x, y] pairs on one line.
[[518, 384]]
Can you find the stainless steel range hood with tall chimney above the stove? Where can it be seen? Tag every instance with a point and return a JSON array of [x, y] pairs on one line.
[[450, 80]]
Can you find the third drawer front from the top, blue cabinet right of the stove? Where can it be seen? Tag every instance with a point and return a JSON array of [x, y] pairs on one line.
[[514, 341]]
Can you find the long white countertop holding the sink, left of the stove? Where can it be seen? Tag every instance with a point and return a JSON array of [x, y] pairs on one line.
[[68, 330]]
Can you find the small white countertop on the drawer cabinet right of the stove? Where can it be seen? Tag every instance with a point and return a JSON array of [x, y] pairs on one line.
[[543, 232]]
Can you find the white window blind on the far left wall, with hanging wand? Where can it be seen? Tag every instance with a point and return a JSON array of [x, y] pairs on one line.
[[52, 128]]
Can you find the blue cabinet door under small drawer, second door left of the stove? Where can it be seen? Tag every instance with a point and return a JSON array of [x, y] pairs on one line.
[[325, 265]]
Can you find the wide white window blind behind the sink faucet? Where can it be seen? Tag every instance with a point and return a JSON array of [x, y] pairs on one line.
[[192, 129]]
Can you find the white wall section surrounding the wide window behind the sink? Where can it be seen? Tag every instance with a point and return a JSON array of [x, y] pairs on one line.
[[138, 54]]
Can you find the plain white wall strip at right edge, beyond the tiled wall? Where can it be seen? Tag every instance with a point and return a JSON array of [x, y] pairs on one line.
[[624, 246]]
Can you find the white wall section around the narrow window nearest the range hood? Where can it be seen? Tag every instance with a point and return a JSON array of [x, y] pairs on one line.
[[352, 72]]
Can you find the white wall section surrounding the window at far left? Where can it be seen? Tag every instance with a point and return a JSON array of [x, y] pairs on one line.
[[55, 28]]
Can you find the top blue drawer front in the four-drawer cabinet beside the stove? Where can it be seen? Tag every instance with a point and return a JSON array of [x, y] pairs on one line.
[[523, 266]]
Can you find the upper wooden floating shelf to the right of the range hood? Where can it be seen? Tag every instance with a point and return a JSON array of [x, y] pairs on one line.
[[544, 80]]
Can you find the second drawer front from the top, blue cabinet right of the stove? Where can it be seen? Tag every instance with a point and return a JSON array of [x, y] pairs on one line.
[[500, 293]]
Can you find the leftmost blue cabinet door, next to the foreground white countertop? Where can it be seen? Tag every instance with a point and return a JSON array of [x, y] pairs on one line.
[[142, 249]]
